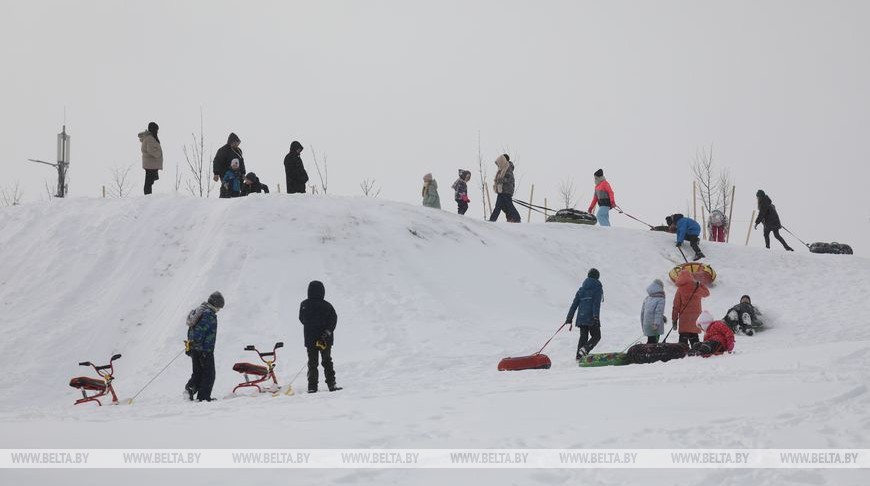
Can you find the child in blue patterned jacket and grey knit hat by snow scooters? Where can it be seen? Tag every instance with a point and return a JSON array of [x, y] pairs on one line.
[[201, 337]]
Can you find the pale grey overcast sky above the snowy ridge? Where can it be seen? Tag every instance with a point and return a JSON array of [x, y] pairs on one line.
[[394, 89]]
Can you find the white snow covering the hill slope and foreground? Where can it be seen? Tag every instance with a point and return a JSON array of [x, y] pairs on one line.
[[428, 303]]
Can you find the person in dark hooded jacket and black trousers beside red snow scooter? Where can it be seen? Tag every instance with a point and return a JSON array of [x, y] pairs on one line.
[[318, 319]]
